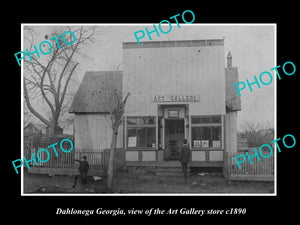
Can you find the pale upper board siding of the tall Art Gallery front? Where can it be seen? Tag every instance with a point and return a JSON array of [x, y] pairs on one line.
[[193, 70]]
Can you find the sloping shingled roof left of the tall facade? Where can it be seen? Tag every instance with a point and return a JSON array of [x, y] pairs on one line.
[[97, 92]]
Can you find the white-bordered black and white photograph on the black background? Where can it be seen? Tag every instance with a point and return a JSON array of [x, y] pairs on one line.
[[149, 109]]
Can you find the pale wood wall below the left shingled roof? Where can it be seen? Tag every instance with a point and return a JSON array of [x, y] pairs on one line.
[[94, 131]]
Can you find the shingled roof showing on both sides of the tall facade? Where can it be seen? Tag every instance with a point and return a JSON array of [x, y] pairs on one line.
[[96, 91]]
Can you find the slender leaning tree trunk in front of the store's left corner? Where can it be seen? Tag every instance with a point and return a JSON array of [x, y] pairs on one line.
[[110, 169]]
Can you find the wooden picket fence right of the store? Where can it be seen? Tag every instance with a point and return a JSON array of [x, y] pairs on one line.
[[258, 170]]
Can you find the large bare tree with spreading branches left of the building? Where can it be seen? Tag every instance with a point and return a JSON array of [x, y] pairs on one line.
[[46, 79]]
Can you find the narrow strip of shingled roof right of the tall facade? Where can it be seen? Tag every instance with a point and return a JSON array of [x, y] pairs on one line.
[[233, 101]]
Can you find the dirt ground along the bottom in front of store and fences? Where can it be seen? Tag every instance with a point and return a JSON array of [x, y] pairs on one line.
[[128, 182]]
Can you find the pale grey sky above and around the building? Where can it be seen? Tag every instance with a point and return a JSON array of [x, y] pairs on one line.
[[252, 47]]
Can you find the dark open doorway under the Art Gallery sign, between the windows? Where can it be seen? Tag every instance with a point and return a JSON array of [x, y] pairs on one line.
[[174, 134]]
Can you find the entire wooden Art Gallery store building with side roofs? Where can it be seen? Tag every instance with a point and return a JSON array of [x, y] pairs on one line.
[[178, 90]]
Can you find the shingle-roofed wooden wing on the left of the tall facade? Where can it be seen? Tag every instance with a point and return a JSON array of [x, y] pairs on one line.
[[92, 105]]
